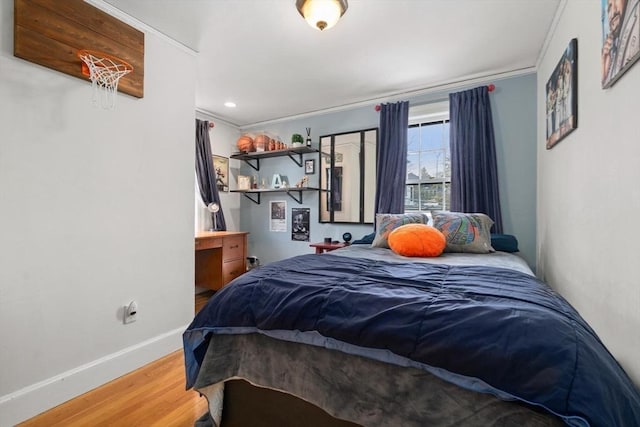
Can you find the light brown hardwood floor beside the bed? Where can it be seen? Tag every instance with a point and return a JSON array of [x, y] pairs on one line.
[[153, 395]]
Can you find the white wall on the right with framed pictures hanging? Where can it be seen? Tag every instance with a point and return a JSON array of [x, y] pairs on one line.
[[589, 192]]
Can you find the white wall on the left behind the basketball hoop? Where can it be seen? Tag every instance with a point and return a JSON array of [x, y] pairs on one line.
[[96, 209]]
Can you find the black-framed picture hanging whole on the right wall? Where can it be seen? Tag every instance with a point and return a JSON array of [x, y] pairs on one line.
[[562, 96]]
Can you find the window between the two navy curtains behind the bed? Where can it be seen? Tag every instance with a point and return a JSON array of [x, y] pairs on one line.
[[428, 159]]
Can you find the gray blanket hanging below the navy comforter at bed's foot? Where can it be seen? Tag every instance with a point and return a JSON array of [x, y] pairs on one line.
[[353, 388]]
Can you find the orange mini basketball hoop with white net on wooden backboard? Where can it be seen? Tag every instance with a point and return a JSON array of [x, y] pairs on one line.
[[105, 71]]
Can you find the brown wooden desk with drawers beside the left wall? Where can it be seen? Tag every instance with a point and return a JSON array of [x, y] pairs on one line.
[[220, 257]]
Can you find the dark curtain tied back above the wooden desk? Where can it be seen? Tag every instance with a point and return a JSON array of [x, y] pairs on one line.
[[206, 174]]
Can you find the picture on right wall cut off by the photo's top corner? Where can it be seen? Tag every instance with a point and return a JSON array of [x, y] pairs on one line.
[[620, 38]]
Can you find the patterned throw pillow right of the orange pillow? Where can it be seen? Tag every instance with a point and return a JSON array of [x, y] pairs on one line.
[[465, 232]]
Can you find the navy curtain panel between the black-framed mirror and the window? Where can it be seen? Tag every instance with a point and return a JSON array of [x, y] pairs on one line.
[[392, 157]]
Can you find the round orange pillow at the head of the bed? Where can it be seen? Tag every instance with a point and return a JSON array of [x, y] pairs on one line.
[[417, 240]]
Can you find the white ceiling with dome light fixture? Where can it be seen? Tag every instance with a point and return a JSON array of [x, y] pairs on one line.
[[263, 56]]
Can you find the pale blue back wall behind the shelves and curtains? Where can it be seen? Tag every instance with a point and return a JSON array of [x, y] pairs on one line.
[[514, 113]]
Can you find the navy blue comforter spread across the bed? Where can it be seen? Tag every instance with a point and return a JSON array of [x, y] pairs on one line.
[[488, 329]]
